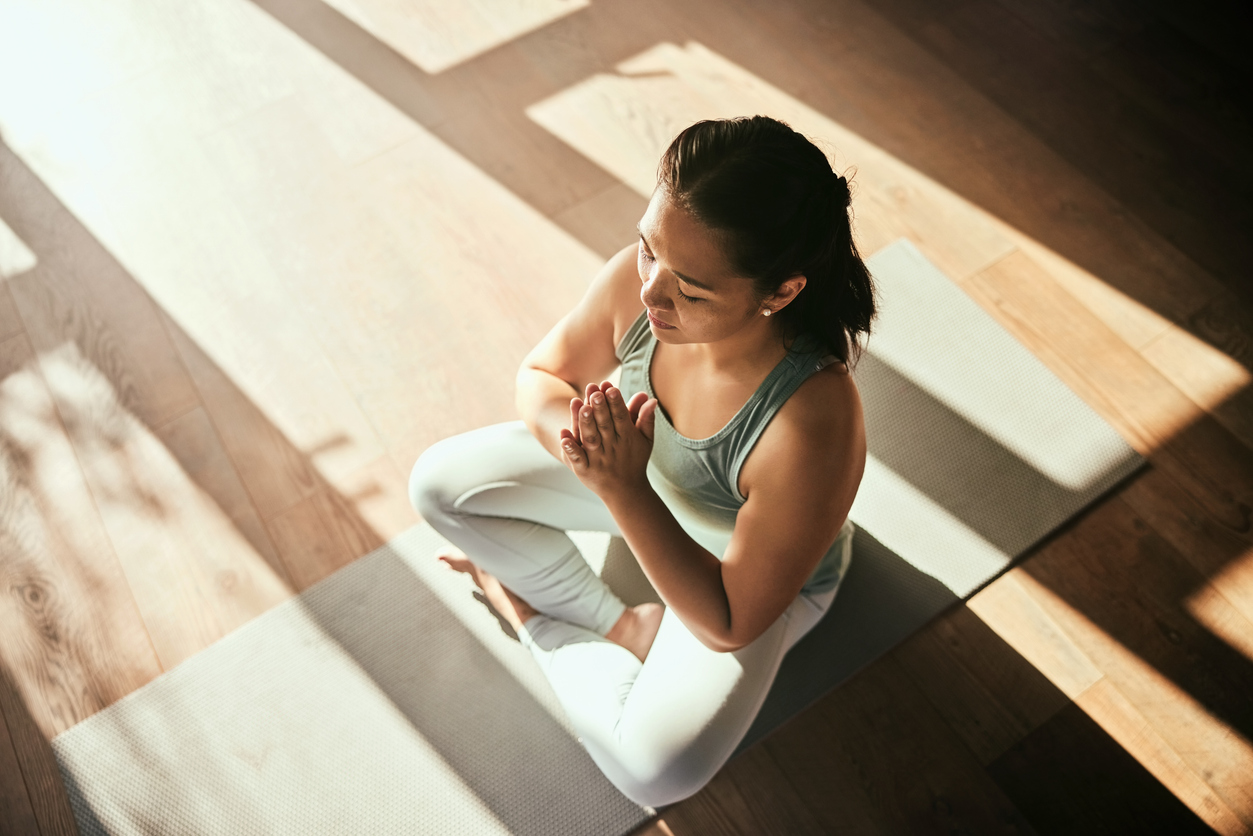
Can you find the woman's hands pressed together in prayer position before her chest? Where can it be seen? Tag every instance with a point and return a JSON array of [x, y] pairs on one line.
[[610, 441]]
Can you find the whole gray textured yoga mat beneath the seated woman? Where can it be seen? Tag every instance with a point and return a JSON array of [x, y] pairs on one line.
[[387, 700]]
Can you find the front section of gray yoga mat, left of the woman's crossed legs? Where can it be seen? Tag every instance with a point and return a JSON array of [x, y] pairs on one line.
[[385, 700]]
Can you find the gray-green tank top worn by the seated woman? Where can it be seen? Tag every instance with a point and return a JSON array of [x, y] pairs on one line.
[[699, 479]]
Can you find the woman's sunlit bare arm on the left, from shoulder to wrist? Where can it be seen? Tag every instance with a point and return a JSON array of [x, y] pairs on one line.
[[578, 352]]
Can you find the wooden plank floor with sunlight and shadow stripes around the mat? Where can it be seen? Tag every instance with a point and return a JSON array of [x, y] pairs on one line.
[[256, 256]]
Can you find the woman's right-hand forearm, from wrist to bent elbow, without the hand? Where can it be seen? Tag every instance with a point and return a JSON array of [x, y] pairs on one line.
[[686, 575]]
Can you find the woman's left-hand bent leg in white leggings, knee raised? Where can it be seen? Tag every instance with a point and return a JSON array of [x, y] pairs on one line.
[[499, 497]]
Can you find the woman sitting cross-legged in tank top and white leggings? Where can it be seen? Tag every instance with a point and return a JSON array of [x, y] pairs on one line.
[[729, 458]]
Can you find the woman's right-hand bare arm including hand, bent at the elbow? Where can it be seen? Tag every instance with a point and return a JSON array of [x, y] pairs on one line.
[[800, 483]]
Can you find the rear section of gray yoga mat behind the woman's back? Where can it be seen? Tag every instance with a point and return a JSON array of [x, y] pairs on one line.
[[977, 454]]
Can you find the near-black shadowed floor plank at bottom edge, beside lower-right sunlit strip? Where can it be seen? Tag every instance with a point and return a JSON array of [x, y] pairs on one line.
[[1069, 776]]
